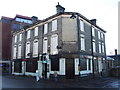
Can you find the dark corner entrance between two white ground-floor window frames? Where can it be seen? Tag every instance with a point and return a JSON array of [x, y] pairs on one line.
[[70, 68]]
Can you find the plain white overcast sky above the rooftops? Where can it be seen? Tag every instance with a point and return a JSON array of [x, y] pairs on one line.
[[105, 11]]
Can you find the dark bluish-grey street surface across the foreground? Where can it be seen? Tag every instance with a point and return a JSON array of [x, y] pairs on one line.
[[9, 81]]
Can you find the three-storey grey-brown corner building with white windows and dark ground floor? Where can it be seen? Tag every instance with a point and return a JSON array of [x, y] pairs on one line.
[[66, 42]]
